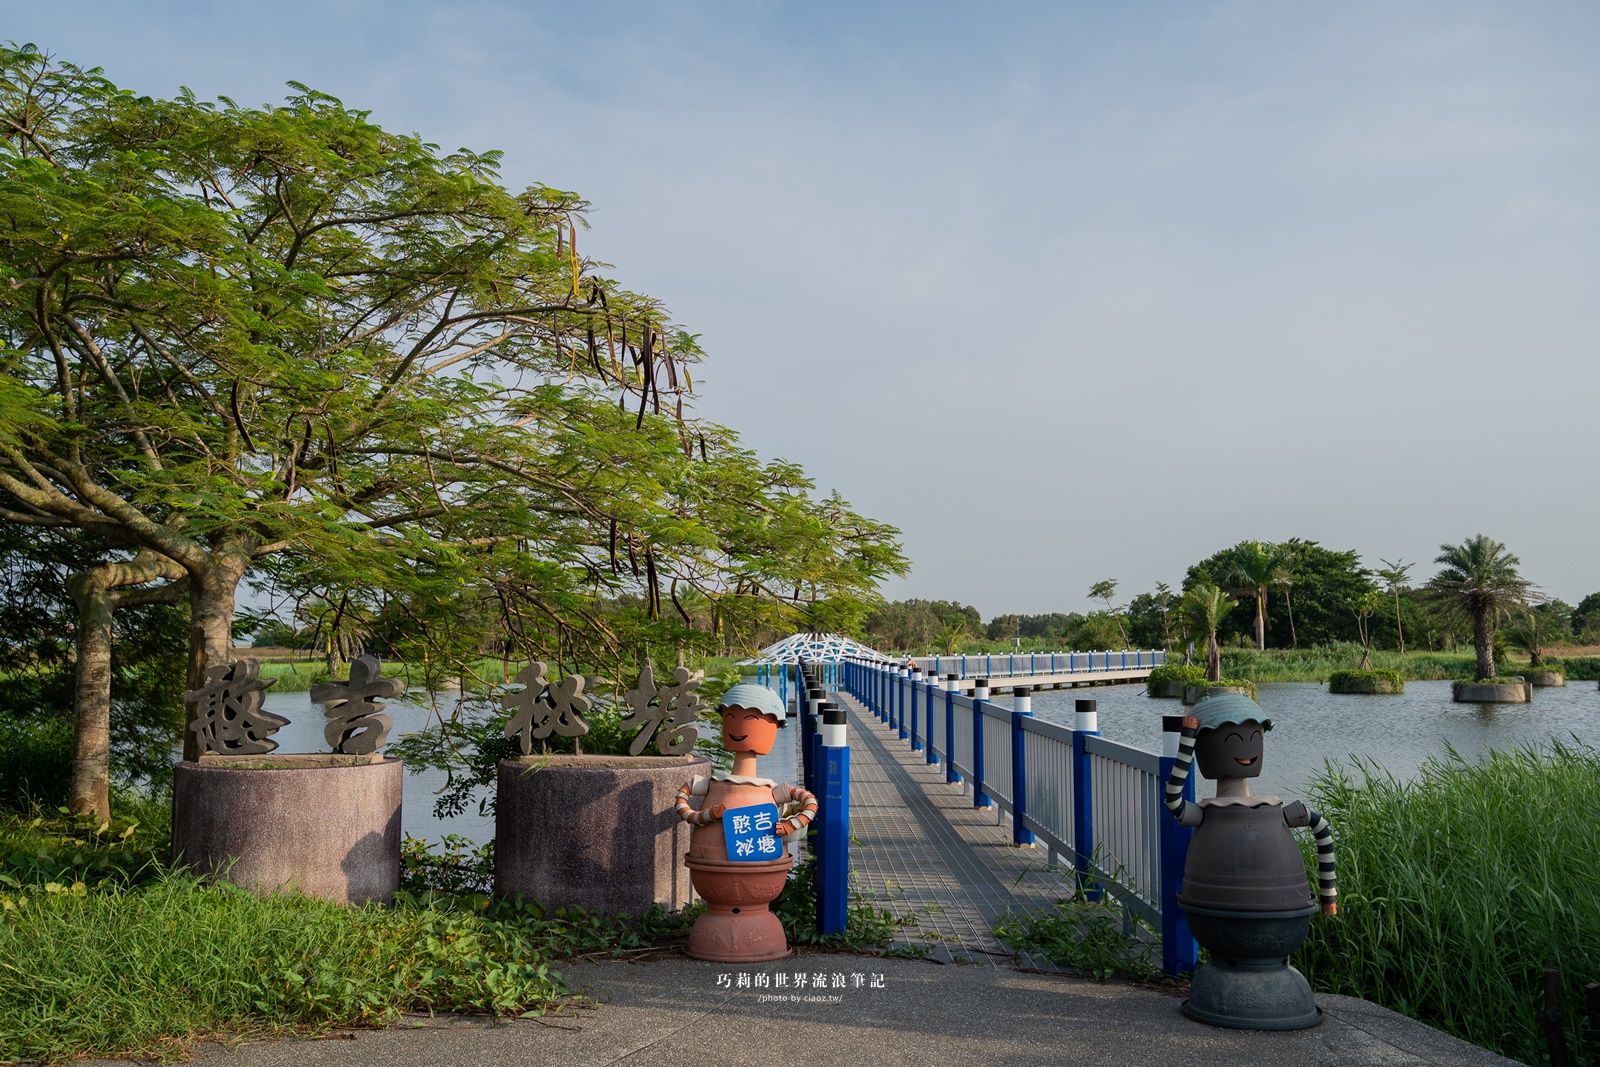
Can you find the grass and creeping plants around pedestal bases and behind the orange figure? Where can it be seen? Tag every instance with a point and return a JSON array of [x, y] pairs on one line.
[[106, 953]]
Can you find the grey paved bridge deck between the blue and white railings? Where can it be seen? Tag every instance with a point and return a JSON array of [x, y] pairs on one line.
[[924, 852]]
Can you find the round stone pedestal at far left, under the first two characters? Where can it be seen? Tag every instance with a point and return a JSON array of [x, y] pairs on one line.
[[327, 826]]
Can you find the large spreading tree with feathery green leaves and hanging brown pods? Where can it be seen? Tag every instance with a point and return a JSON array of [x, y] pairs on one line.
[[241, 332]]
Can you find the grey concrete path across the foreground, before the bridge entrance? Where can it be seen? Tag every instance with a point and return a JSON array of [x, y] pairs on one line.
[[910, 1013]]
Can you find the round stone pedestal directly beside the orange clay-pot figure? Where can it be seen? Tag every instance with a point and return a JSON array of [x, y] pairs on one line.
[[594, 831]]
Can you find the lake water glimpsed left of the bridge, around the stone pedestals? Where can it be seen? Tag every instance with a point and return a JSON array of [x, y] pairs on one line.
[[414, 713]]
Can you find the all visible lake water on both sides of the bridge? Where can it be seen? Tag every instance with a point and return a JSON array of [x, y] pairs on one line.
[[1310, 725]]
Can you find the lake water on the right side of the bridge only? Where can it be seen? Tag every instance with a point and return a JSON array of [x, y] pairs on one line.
[[1311, 725]]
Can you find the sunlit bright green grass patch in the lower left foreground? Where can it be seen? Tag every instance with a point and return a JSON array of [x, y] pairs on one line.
[[148, 970]]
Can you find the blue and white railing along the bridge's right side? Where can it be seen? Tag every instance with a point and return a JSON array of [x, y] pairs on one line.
[[1092, 802]]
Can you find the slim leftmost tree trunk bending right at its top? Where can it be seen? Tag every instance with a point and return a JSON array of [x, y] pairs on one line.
[[94, 593]]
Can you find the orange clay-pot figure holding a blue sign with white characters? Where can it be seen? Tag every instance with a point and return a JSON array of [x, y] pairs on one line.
[[737, 858]]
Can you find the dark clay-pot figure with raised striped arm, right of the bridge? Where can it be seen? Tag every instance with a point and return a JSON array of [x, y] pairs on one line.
[[1246, 890]]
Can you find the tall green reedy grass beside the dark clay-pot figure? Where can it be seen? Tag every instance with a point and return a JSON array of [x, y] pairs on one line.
[[1460, 887]]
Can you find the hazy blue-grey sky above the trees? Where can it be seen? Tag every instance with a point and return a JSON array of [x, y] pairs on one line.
[[1065, 292]]
